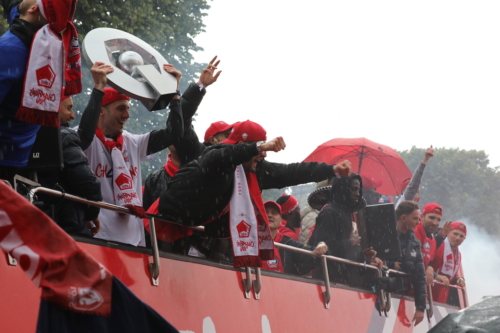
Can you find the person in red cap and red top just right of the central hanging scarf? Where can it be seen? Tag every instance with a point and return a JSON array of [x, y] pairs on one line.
[[273, 211]]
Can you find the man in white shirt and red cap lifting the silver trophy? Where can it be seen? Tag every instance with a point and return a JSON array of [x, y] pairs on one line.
[[115, 157]]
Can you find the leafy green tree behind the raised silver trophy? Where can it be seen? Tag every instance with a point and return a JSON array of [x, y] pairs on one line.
[[170, 26]]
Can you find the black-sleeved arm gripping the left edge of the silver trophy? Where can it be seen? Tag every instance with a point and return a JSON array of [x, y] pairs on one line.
[[90, 116]]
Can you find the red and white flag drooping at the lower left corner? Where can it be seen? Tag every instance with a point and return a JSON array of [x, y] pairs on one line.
[[67, 274]]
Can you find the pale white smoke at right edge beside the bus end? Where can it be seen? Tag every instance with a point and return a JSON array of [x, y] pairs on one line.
[[480, 262]]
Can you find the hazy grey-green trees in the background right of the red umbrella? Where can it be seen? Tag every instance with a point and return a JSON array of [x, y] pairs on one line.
[[462, 183]]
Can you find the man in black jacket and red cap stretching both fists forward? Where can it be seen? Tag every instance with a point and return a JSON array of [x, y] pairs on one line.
[[200, 192]]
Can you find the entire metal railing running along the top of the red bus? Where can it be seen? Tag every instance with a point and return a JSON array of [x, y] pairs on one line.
[[154, 267]]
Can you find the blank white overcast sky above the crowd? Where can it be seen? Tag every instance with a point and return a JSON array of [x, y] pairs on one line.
[[406, 73]]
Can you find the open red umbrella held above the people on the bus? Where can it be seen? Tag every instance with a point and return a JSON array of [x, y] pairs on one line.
[[380, 161]]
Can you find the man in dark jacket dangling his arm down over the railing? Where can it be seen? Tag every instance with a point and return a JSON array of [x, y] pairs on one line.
[[407, 216]]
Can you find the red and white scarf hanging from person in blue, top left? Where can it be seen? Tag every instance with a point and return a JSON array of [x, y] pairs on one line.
[[54, 62]]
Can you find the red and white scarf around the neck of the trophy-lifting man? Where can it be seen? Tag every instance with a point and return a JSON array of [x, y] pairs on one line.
[[124, 193]]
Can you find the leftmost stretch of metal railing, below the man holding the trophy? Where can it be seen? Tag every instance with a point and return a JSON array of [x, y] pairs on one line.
[[154, 267]]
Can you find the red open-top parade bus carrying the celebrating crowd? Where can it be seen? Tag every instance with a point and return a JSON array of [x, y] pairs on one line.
[[201, 296]]
